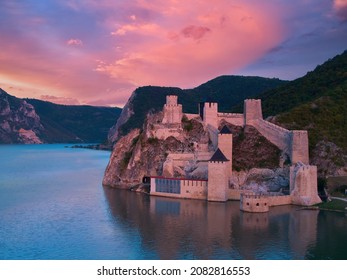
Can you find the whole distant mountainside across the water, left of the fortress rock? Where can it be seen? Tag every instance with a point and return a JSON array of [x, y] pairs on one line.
[[52, 123]]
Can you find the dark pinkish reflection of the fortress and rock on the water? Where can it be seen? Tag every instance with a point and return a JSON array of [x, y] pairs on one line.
[[193, 229]]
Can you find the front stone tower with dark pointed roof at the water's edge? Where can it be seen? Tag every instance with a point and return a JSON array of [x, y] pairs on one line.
[[218, 178]]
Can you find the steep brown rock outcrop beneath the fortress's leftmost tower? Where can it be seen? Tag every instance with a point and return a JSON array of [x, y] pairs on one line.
[[139, 154]]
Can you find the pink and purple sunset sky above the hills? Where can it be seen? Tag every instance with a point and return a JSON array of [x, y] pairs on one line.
[[98, 52]]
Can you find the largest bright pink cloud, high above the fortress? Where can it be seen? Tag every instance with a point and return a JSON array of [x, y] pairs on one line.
[[225, 39]]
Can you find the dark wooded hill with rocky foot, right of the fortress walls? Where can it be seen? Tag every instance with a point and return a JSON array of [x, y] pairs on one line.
[[317, 103]]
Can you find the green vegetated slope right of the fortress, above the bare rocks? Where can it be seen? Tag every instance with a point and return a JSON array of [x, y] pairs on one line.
[[317, 103]]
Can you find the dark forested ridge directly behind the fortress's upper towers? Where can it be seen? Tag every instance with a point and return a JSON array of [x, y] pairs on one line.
[[226, 90]]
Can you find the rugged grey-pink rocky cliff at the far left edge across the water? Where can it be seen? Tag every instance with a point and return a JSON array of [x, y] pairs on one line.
[[19, 122]]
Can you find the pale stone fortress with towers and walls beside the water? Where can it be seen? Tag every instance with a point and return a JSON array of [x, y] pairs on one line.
[[216, 157]]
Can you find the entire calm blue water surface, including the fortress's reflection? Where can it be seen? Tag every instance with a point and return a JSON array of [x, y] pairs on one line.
[[52, 206]]
